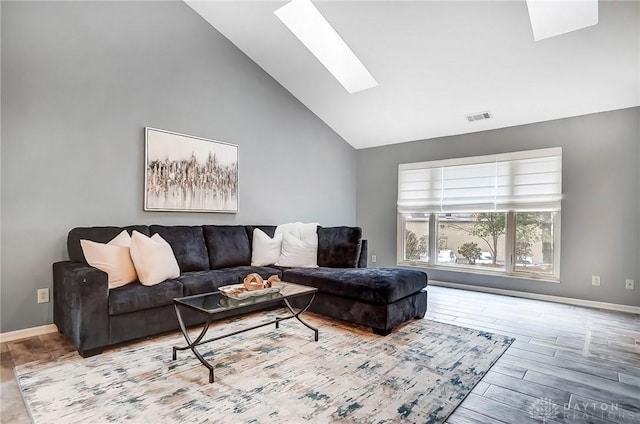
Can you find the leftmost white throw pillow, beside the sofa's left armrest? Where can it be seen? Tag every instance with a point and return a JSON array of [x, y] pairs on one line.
[[112, 258]]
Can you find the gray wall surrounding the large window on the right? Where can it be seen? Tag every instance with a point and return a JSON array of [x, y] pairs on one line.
[[600, 207]]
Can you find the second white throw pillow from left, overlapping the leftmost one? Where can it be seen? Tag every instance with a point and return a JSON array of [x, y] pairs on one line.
[[153, 258]]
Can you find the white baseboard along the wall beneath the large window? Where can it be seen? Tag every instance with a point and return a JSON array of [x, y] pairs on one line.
[[545, 297]]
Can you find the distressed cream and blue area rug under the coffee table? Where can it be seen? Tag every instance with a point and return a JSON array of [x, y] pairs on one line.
[[419, 373]]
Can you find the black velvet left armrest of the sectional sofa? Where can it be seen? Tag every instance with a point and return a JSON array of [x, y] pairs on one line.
[[80, 305]]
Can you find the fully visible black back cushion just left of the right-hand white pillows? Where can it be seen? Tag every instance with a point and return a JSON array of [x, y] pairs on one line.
[[228, 245]]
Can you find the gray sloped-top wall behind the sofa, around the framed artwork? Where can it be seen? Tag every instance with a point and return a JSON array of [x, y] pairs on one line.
[[80, 81]]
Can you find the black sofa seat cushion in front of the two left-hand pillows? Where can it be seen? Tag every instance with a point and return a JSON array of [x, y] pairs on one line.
[[135, 297]]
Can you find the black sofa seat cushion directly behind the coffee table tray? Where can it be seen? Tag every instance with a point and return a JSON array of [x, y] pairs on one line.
[[209, 281]]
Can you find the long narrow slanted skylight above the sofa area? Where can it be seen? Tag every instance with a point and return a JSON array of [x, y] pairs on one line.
[[313, 30]]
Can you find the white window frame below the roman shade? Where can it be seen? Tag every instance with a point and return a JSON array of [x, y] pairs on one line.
[[510, 252]]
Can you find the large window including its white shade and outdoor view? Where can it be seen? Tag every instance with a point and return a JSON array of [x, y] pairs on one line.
[[498, 213]]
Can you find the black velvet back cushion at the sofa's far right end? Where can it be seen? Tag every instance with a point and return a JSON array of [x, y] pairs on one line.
[[339, 247]]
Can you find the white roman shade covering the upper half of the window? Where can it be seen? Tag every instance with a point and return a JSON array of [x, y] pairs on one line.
[[519, 181]]
